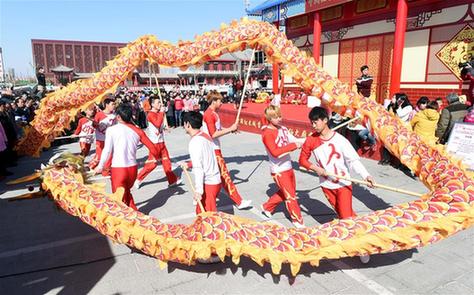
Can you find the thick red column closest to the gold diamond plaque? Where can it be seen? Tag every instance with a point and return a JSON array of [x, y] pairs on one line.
[[400, 28]]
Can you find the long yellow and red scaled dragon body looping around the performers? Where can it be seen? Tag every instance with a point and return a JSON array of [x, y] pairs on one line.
[[447, 209]]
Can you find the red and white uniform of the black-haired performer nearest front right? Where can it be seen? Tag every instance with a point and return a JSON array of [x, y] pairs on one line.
[[336, 155]]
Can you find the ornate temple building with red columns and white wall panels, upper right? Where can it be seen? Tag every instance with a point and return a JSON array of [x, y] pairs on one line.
[[411, 46]]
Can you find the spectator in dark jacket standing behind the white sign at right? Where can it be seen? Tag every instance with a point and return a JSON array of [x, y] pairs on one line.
[[454, 112]]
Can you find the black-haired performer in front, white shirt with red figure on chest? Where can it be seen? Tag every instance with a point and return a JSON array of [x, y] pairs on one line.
[[335, 154]]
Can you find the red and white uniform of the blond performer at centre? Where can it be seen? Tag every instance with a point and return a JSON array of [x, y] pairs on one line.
[[212, 123]]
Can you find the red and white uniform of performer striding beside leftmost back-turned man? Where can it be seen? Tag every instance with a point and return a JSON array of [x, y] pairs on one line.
[[155, 133]]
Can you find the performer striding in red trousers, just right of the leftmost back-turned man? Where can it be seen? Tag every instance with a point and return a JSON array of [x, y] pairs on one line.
[[155, 132]]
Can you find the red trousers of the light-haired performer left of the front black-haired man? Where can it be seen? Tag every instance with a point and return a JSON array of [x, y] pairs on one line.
[[286, 183]]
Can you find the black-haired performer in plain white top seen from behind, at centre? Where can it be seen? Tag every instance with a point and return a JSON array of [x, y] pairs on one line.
[[207, 177]]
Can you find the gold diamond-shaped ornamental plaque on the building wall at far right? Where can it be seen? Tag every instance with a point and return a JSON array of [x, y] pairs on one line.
[[459, 49]]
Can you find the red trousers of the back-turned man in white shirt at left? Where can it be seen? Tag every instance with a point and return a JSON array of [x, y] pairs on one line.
[[124, 177]]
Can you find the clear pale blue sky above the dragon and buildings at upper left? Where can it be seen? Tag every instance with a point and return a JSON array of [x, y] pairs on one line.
[[105, 20]]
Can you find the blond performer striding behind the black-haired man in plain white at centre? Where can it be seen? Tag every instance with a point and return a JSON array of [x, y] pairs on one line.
[[212, 126]]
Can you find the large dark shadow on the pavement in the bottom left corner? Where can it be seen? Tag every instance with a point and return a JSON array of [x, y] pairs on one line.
[[44, 249]]
